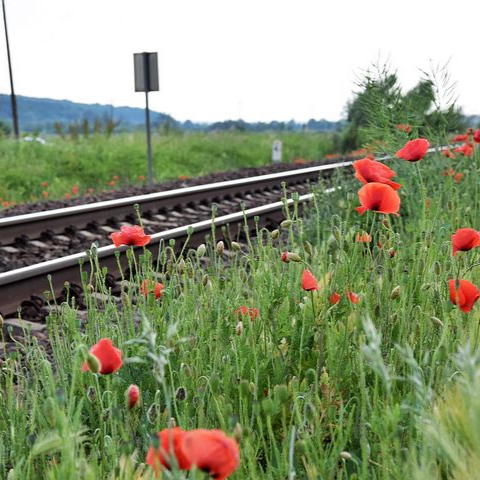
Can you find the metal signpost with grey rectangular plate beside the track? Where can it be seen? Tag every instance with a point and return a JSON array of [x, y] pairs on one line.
[[146, 80]]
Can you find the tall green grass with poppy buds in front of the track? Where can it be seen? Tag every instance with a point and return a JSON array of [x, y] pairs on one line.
[[382, 389]]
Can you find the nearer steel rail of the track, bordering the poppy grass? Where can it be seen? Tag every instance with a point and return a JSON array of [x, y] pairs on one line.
[[52, 274]]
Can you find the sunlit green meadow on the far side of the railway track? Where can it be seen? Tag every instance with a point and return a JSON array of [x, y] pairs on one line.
[[94, 162]]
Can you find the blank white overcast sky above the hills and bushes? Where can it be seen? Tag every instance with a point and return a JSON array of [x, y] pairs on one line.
[[259, 60]]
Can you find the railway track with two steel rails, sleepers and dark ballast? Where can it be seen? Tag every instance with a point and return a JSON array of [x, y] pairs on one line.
[[175, 215]]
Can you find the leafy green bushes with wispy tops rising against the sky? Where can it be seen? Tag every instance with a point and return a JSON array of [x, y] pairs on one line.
[[380, 106]]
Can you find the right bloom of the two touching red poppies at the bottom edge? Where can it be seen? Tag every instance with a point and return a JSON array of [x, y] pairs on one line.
[[212, 451]]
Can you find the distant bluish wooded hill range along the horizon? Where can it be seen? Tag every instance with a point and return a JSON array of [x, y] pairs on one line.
[[40, 114]]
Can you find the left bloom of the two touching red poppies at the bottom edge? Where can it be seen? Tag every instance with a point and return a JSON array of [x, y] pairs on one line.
[[171, 445]]
